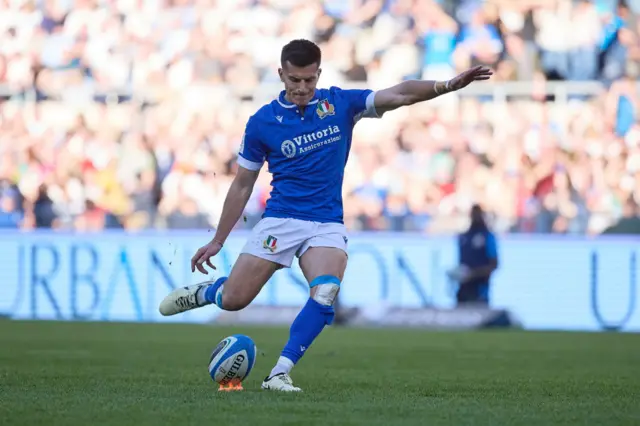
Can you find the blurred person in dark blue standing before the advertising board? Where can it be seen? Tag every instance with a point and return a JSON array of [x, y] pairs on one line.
[[478, 260]]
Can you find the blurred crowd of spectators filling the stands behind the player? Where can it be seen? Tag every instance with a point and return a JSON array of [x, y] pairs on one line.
[[128, 113]]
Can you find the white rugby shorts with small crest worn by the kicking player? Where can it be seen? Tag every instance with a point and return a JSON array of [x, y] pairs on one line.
[[279, 240]]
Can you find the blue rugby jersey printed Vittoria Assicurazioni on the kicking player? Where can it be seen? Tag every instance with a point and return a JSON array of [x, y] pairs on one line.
[[306, 154]]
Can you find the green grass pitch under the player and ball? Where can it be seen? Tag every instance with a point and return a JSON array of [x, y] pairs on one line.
[[54, 373]]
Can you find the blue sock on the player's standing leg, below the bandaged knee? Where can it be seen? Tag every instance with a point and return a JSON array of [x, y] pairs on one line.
[[305, 328]]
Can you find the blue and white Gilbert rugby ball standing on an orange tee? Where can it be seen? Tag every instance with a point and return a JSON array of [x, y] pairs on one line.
[[232, 360]]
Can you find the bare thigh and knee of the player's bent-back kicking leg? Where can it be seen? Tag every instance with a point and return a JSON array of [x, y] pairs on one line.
[[248, 275]]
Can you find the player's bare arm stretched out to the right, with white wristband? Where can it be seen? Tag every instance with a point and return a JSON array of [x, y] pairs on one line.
[[413, 91]]
